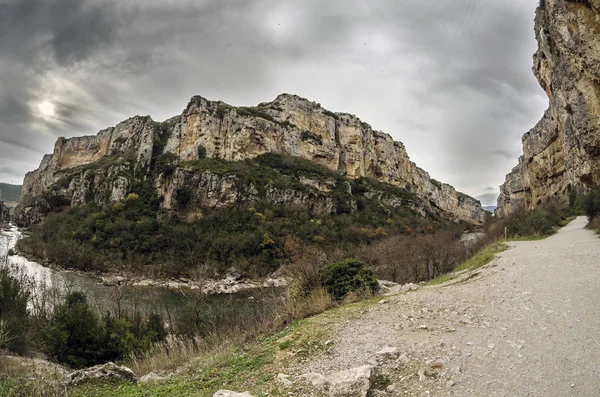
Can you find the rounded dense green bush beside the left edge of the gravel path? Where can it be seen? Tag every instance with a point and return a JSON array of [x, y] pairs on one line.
[[347, 276]]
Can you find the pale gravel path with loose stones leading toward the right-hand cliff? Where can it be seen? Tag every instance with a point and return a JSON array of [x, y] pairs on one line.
[[527, 324]]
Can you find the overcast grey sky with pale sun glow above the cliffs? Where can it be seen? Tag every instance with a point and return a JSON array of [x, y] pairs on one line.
[[449, 78]]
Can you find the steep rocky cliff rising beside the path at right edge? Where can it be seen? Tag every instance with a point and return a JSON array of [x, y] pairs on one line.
[[562, 152]]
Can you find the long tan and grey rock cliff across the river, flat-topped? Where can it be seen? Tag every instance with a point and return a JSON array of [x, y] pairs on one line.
[[104, 168]]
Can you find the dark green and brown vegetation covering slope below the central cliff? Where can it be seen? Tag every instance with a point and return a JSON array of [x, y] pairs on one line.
[[137, 235]]
